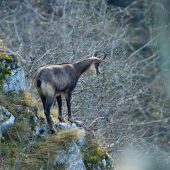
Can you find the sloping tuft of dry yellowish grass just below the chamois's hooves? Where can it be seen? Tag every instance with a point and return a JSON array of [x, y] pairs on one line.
[[46, 151]]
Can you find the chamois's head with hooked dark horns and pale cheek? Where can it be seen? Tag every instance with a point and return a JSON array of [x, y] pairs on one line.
[[94, 67]]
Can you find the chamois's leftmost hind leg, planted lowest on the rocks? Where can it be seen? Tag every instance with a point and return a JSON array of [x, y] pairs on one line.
[[49, 102]]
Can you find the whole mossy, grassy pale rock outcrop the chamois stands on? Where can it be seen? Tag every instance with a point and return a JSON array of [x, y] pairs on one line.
[[64, 149]]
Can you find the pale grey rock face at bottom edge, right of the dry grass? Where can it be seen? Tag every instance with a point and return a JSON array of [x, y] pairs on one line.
[[72, 158]]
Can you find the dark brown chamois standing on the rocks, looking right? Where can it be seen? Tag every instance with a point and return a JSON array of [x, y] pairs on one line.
[[51, 81]]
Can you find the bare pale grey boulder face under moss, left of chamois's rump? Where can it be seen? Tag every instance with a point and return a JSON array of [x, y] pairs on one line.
[[14, 82]]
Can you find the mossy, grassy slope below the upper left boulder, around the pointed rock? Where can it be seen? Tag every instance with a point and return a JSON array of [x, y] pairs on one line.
[[18, 135]]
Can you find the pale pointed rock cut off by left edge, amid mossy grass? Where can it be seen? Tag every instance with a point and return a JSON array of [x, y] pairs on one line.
[[6, 119]]
